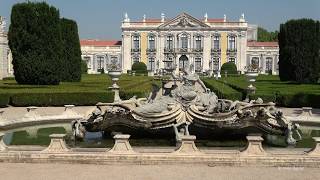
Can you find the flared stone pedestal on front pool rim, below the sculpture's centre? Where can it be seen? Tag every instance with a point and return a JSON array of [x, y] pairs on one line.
[[187, 146]]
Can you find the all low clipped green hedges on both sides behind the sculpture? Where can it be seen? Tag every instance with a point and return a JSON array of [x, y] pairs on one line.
[[94, 88]]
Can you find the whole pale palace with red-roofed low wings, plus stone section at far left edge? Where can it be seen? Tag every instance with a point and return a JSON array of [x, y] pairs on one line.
[[171, 44]]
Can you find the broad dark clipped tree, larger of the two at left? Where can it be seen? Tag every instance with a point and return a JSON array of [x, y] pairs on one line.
[[35, 42]]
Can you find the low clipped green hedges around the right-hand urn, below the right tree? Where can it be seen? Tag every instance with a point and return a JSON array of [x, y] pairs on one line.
[[270, 88]]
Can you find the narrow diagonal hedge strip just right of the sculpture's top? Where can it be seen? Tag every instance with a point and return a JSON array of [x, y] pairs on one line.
[[223, 91]]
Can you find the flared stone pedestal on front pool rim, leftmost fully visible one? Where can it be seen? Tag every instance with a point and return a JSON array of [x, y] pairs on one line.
[[57, 144]]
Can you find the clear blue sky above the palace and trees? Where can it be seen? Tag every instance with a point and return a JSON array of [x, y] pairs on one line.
[[101, 19]]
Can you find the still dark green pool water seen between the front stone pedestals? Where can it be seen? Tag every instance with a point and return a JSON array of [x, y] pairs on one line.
[[97, 140]]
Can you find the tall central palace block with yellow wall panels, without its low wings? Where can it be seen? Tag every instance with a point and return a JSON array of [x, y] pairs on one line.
[[201, 45]]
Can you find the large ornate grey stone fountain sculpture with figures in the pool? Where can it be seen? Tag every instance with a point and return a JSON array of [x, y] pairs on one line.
[[183, 102]]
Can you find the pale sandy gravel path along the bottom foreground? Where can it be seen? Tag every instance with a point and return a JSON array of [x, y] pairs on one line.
[[149, 172]]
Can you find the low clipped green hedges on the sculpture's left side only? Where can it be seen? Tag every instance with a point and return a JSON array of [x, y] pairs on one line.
[[91, 89]]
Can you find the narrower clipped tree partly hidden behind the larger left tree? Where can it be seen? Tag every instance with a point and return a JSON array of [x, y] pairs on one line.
[[71, 53]]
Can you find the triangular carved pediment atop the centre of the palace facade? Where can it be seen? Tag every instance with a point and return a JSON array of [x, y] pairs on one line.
[[184, 20]]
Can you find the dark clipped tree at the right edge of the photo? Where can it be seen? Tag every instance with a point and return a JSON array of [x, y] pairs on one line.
[[299, 43]]
